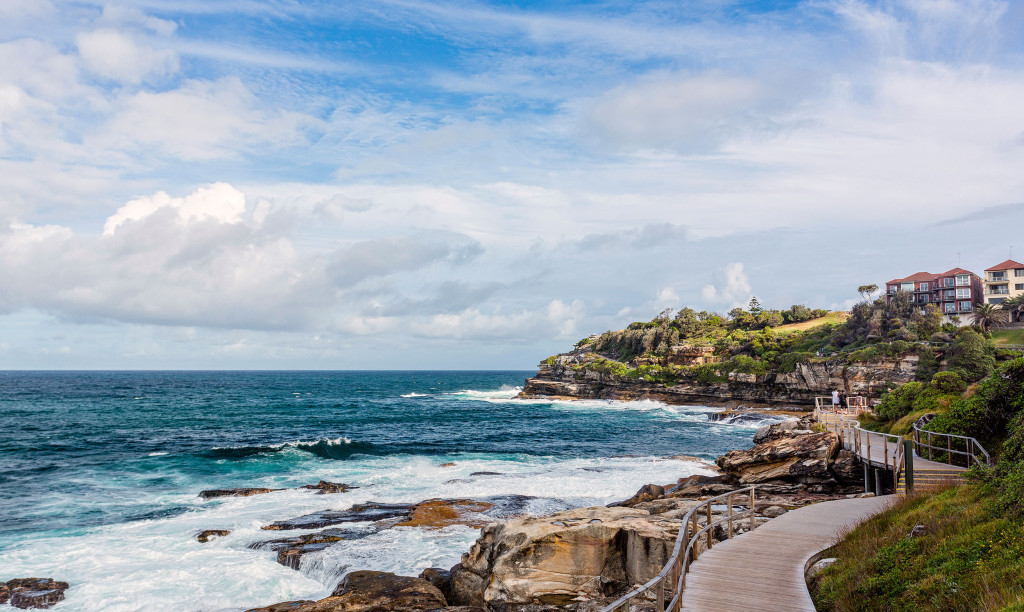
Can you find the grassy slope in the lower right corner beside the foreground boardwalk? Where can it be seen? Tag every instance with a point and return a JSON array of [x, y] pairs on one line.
[[970, 558]]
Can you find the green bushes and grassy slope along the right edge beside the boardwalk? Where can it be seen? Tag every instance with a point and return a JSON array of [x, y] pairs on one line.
[[968, 552]]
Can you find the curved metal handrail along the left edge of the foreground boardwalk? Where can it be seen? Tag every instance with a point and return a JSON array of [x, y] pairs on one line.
[[675, 570]]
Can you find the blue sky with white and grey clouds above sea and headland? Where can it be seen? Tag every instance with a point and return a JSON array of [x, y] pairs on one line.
[[455, 185]]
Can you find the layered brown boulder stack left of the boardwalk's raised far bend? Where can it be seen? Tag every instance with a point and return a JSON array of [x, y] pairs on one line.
[[803, 459]]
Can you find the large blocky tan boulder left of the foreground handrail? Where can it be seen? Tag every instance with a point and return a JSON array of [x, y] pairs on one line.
[[554, 560]]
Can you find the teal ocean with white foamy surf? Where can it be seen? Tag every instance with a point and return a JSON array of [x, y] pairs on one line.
[[101, 471]]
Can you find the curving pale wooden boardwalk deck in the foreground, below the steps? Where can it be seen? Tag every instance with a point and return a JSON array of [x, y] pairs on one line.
[[763, 571]]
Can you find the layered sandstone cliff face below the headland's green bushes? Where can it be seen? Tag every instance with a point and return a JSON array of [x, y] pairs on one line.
[[799, 388]]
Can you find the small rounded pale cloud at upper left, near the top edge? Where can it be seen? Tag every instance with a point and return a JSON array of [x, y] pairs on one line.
[[113, 55]]
